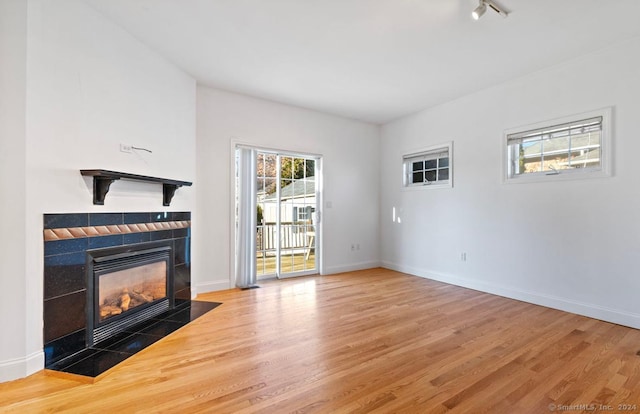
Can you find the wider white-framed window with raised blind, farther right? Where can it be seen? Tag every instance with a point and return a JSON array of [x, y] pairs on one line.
[[572, 147]]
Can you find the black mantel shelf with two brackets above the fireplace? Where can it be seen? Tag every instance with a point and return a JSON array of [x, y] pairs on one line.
[[102, 180]]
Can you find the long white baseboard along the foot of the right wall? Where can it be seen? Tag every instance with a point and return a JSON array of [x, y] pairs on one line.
[[617, 316]]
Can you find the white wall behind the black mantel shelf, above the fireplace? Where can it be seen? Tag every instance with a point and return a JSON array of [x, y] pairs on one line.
[[89, 87]]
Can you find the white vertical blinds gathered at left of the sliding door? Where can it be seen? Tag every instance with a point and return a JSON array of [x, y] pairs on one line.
[[246, 274]]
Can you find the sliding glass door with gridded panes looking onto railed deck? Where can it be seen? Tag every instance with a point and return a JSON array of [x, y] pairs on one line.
[[287, 199]]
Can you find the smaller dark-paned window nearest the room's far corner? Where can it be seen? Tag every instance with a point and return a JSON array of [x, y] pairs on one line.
[[429, 167]]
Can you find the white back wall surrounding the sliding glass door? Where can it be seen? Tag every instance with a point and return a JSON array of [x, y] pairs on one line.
[[350, 151]]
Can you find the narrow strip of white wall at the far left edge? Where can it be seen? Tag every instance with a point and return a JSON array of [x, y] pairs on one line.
[[13, 47]]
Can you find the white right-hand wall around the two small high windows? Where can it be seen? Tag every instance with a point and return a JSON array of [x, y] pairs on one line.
[[571, 245]]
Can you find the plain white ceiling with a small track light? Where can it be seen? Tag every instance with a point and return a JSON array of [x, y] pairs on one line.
[[371, 60]]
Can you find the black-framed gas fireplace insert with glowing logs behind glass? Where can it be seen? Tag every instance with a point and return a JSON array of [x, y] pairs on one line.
[[126, 286]]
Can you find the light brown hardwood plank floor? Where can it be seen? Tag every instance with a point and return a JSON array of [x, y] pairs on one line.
[[370, 341]]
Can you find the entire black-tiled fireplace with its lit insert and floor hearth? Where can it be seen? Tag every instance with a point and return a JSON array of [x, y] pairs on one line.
[[122, 274]]
